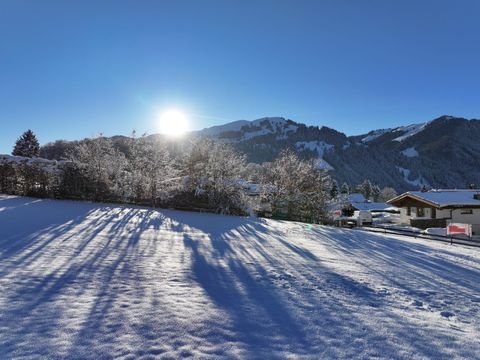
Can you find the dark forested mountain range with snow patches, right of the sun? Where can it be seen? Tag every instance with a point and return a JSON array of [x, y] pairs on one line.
[[442, 153]]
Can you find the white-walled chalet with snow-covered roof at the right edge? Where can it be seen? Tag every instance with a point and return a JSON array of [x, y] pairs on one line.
[[437, 208]]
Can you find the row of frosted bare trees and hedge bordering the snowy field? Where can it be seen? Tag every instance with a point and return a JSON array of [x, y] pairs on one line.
[[196, 174]]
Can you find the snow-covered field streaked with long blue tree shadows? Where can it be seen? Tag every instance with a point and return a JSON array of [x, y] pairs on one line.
[[80, 280]]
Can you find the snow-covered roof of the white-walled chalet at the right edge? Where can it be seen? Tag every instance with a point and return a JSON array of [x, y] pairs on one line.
[[442, 198]]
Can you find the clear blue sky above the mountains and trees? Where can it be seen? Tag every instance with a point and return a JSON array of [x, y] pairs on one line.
[[73, 69]]
